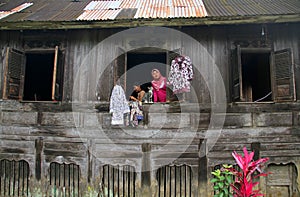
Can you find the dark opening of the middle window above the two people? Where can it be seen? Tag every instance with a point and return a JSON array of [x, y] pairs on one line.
[[140, 65]]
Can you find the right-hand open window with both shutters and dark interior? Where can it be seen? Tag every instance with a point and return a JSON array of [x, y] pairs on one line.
[[261, 75]]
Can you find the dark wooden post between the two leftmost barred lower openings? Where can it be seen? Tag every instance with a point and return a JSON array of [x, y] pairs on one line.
[[38, 158]]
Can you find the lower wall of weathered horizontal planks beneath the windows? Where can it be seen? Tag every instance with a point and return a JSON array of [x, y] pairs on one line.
[[65, 136]]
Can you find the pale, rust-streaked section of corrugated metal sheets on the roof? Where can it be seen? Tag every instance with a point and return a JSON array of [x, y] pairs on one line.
[[102, 10]]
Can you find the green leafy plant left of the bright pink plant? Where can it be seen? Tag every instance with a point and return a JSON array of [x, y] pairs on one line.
[[222, 181]]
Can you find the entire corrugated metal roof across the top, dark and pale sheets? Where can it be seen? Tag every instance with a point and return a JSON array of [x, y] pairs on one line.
[[68, 10]]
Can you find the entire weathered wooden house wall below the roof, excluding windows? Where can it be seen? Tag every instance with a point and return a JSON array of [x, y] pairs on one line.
[[65, 132]]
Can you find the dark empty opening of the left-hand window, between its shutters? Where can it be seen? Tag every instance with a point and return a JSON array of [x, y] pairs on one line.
[[38, 77]]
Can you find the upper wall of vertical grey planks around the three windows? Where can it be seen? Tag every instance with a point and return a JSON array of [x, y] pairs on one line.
[[85, 56]]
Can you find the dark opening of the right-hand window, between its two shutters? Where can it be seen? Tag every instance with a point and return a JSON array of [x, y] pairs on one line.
[[256, 77]]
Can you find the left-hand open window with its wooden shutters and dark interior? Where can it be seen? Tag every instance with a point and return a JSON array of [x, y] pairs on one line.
[[33, 76]]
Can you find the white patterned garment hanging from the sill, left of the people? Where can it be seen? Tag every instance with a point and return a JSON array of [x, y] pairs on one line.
[[118, 105]]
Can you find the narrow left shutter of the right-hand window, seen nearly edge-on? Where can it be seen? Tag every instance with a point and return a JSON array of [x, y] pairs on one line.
[[237, 80]]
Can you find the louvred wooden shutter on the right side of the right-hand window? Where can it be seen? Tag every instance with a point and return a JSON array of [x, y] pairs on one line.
[[283, 75]]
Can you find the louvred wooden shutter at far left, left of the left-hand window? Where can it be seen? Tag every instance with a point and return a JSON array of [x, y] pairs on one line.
[[14, 72]]
